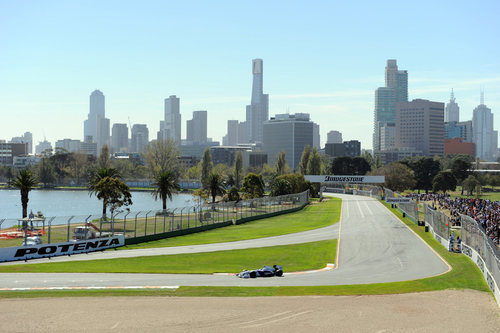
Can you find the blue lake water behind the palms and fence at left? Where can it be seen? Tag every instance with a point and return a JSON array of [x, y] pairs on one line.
[[68, 203]]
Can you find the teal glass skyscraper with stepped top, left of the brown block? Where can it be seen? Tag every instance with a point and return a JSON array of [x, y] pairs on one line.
[[395, 90]]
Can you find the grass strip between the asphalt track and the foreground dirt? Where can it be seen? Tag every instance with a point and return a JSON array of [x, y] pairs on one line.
[[465, 275]]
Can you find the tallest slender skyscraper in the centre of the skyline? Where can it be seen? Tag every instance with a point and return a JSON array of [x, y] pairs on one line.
[[258, 110]]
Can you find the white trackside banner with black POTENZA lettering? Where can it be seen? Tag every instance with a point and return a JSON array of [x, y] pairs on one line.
[[60, 249]]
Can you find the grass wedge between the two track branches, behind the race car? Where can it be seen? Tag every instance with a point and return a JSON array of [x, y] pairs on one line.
[[298, 257]]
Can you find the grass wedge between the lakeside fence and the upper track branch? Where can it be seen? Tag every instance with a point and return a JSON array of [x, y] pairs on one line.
[[311, 217]]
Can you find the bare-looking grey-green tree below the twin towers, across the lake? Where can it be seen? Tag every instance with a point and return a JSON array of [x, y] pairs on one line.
[[162, 155]]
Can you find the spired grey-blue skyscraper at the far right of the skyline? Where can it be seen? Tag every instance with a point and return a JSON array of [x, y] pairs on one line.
[[484, 136]]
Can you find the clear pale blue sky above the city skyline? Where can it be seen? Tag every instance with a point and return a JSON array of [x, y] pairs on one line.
[[321, 57]]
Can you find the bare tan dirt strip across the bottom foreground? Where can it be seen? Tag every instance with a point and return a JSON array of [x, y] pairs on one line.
[[444, 311]]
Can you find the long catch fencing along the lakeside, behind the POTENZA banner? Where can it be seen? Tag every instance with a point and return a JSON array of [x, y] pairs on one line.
[[148, 225]]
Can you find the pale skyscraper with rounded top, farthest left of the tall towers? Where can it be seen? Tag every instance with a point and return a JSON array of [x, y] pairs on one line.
[[97, 125]]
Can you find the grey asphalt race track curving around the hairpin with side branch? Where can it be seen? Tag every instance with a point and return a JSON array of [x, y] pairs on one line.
[[375, 246]]
